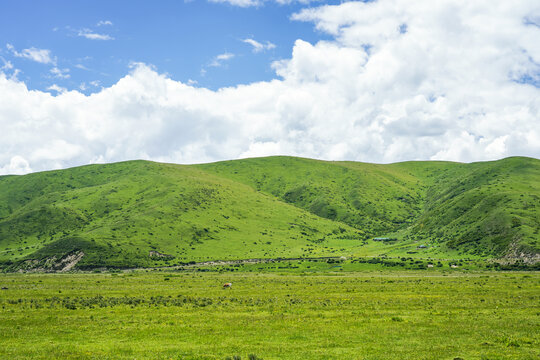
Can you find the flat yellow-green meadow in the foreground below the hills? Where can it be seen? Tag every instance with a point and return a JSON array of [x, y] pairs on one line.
[[371, 314]]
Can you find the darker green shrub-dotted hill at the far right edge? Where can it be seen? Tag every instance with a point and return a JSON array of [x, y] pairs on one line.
[[487, 208]]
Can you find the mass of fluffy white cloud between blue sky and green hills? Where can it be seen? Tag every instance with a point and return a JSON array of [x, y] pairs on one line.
[[451, 80]]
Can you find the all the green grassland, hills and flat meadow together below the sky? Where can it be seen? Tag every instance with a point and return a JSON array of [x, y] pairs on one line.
[[428, 290]]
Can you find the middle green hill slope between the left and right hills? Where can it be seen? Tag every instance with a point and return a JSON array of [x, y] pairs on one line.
[[371, 197]]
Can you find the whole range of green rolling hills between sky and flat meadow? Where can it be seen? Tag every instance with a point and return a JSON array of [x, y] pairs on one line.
[[140, 213]]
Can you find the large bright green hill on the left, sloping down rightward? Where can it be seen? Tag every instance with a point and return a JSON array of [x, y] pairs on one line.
[[118, 214]]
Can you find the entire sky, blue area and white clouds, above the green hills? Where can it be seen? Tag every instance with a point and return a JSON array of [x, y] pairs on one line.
[[205, 80]]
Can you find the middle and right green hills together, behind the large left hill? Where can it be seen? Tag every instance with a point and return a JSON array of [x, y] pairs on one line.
[[484, 209]]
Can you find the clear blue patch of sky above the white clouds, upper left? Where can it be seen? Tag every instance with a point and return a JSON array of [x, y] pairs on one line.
[[179, 38]]
